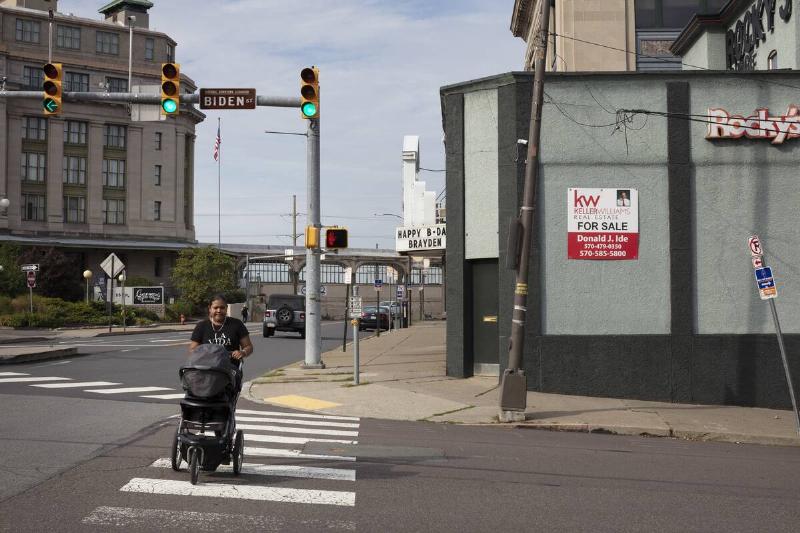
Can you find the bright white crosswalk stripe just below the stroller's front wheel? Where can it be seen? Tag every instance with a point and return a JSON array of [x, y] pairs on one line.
[[240, 492]]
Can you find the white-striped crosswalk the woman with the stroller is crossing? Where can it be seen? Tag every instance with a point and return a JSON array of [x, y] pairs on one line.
[[281, 473]]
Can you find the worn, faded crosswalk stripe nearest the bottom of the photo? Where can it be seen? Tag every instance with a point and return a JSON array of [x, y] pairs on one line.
[[168, 520]]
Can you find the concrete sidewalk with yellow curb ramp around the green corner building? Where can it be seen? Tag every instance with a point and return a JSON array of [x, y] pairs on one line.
[[403, 378]]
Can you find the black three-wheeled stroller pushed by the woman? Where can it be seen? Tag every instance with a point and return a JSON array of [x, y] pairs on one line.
[[206, 434]]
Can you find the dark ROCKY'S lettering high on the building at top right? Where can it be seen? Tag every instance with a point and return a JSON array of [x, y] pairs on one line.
[[745, 35]]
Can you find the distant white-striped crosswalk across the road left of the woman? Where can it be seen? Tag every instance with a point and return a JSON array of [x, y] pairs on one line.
[[103, 388]]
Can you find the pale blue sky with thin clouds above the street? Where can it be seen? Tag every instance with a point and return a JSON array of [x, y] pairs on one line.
[[381, 66]]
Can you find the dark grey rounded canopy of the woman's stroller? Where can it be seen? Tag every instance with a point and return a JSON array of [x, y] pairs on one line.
[[208, 371]]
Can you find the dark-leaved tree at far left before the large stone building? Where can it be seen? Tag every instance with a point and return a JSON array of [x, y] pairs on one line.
[[60, 275]]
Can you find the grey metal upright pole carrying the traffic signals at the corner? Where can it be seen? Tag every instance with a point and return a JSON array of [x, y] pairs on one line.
[[313, 358]]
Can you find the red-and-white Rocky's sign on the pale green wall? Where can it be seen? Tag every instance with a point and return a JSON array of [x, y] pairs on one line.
[[723, 125]]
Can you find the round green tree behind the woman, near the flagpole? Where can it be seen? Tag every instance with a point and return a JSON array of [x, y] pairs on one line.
[[199, 273]]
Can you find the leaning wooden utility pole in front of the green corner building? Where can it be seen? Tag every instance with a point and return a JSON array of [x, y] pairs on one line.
[[514, 390]]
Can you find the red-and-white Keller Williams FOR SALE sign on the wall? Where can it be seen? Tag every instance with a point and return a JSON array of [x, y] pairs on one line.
[[603, 224]]
